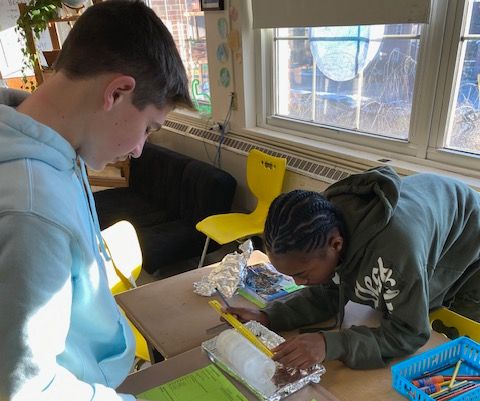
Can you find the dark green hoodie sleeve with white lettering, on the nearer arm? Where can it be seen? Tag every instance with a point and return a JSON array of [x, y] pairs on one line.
[[404, 327]]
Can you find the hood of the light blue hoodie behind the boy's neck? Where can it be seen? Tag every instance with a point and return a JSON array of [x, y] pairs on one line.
[[23, 137]]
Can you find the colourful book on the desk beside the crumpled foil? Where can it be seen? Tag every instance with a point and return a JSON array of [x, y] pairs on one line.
[[263, 284]]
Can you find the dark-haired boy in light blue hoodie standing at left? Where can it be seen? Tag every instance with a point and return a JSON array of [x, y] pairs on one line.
[[117, 77]]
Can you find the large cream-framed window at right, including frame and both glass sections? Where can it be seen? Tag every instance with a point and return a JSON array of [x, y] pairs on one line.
[[411, 89]]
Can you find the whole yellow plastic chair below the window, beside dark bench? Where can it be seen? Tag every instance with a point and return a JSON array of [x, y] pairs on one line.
[[265, 175]]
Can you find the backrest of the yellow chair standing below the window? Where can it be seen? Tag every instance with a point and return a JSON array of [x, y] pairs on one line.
[[265, 176]]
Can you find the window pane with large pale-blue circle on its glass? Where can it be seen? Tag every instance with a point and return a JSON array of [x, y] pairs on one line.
[[359, 78]]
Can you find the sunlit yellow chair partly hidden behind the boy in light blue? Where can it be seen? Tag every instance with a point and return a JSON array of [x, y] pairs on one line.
[[123, 247]]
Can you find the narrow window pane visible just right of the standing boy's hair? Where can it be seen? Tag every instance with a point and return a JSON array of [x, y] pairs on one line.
[[186, 23]]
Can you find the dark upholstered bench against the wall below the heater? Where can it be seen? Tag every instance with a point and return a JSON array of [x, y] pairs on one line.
[[168, 194]]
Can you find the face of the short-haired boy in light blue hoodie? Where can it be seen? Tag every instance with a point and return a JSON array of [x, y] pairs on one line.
[[122, 132]]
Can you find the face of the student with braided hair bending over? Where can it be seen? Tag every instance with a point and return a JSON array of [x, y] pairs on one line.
[[309, 268]]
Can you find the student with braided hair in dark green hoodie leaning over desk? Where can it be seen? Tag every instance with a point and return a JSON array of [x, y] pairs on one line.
[[402, 246]]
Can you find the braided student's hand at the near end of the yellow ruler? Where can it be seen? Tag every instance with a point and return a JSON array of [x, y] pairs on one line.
[[301, 351]]
